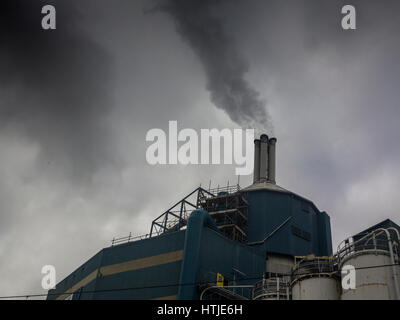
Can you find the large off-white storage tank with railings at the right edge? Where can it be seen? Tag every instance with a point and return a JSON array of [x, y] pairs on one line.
[[374, 258]]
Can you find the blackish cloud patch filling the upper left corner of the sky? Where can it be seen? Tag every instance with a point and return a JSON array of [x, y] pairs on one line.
[[54, 85]]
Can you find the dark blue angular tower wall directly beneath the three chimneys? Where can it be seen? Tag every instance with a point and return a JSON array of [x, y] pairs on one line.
[[308, 231]]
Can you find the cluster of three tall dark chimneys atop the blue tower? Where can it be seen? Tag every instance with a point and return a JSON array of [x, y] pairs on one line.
[[264, 160]]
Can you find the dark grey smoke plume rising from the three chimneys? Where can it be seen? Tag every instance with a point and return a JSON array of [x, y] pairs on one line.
[[225, 68]]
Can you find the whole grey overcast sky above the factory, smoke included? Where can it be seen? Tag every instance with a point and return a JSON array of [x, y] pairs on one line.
[[76, 104]]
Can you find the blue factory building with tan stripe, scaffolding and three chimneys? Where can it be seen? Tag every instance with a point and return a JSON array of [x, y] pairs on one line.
[[261, 242]]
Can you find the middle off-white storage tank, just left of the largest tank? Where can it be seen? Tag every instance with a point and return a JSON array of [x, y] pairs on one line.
[[315, 278]]
